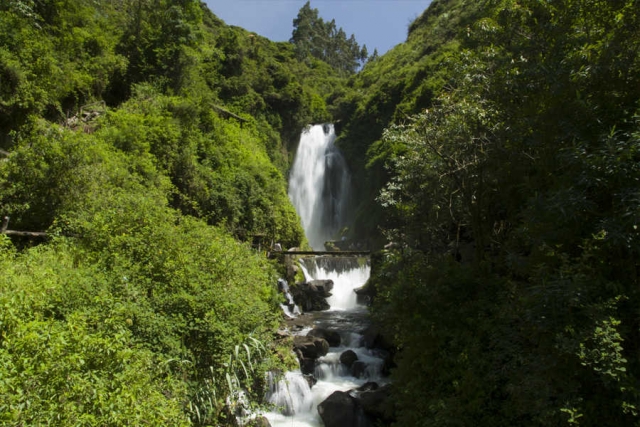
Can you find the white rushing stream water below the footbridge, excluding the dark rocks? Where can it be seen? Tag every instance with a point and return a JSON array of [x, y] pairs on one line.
[[296, 401]]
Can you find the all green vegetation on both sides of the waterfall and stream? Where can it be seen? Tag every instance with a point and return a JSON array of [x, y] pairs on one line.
[[150, 141]]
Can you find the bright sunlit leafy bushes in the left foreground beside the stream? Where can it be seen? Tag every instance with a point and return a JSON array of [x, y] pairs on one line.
[[124, 320]]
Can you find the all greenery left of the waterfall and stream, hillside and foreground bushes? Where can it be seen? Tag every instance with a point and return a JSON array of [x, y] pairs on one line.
[[149, 140]]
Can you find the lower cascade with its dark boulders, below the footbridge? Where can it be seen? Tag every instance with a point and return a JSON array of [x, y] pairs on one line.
[[341, 379]]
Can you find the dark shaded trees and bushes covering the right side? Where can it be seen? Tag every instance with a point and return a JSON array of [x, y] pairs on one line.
[[513, 193]]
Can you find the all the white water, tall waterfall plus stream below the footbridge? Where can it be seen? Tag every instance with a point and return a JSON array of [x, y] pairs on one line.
[[319, 187]]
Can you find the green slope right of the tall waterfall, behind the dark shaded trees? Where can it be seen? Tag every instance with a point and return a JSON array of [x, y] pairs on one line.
[[391, 88]]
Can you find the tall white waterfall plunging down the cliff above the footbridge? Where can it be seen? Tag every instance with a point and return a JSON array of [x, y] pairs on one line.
[[319, 185]]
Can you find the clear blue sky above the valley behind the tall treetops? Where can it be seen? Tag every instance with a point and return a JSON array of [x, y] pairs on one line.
[[379, 24]]
